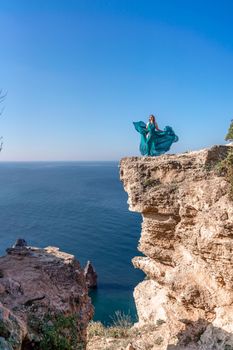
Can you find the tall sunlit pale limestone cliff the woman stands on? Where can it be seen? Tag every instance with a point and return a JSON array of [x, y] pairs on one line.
[[187, 242]]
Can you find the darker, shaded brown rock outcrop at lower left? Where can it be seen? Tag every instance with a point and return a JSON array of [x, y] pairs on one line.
[[41, 290]]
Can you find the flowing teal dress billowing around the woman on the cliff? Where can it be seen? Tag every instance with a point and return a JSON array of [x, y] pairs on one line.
[[154, 142]]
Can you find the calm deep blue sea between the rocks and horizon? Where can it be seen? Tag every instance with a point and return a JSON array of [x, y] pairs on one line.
[[81, 208]]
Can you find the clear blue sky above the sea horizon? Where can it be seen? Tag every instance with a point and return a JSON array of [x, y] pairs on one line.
[[78, 72]]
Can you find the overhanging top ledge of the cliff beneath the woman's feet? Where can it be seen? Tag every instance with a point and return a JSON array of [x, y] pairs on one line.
[[143, 176]]
